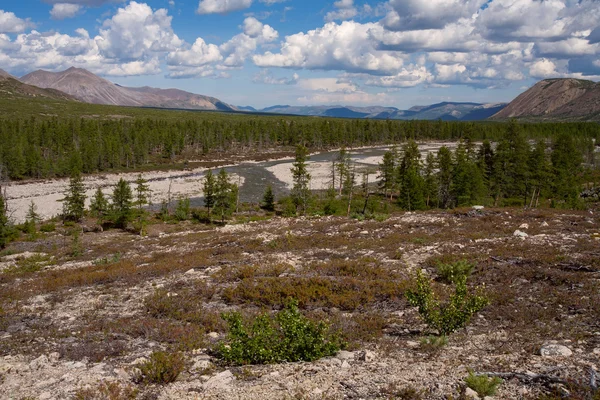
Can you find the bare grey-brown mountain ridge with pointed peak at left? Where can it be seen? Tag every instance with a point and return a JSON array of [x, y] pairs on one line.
[[90, 88]]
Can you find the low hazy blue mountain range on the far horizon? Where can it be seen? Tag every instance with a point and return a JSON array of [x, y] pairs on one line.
[[447, 111]]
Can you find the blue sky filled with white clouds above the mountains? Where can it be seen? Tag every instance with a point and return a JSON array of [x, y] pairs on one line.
[[397, 53]]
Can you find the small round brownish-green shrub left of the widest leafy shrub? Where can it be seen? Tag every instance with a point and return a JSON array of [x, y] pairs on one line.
[[161, 368]]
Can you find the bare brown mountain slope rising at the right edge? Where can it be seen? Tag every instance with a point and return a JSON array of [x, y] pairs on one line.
[[558, 99]]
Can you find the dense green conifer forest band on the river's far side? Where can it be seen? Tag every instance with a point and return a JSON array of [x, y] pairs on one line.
[[55, 147]]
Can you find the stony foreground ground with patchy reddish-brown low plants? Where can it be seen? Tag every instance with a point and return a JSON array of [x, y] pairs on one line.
[[79, 316]]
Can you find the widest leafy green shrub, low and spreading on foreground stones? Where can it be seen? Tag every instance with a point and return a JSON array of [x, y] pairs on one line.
[[289, 336]]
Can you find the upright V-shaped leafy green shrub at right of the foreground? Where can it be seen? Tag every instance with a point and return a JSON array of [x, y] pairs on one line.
[[449, 316]]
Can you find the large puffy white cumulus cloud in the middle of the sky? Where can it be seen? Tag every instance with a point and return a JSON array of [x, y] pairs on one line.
[[347, 46]]
